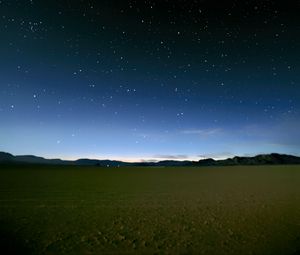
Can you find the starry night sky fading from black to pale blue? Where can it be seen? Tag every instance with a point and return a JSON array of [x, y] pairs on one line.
[[149, 80]]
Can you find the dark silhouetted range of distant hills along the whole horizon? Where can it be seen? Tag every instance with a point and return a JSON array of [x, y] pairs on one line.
[[265, 159]]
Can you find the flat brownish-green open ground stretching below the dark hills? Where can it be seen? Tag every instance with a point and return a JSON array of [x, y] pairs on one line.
[[91, 210]]
